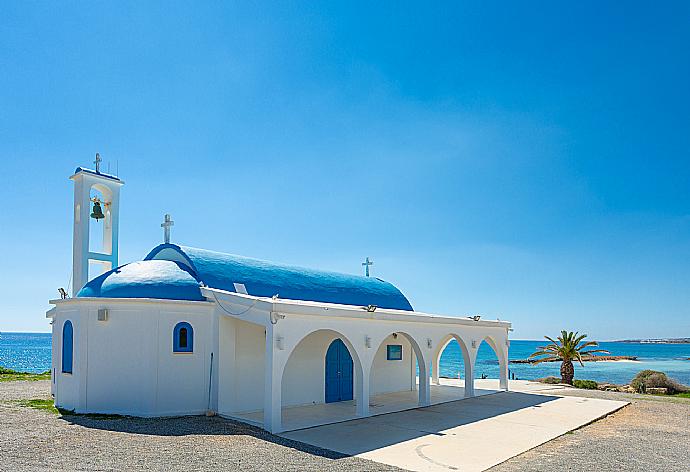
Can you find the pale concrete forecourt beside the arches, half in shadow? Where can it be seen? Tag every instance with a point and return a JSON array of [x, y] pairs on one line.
[[468, 435]]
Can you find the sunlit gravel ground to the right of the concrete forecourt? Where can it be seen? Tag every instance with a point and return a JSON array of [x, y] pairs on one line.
[[653, 433]]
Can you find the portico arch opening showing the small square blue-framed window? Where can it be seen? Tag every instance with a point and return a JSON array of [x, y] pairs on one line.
[[398, 373]]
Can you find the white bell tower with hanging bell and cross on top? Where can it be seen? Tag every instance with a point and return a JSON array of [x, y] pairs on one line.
[[97, 198]]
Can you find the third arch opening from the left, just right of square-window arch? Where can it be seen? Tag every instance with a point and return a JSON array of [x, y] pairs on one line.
[[452, 367]]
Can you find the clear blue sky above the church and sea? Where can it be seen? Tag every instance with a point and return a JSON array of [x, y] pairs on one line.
[[527, 162]]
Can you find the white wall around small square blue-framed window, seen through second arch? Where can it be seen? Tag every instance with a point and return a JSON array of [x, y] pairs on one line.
[[391, 376]]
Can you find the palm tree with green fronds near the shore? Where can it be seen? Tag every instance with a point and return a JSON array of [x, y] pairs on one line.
[[568, 347]]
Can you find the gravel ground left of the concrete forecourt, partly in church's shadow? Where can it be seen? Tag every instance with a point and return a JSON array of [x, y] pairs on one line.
[[34, 440]]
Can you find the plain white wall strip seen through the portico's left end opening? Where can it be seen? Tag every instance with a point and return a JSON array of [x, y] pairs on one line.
[[250, 348]]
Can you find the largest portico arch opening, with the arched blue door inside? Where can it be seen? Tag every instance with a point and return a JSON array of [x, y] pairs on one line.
[[309, 381]]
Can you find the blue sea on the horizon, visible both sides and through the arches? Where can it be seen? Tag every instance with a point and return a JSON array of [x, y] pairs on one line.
[[31, 352]]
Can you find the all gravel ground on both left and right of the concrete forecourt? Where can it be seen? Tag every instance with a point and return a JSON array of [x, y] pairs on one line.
[[653, 433]]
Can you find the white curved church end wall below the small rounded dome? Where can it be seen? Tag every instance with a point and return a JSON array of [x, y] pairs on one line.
[[125, 365]]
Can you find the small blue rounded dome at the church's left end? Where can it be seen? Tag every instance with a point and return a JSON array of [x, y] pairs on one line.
[[145, 279]]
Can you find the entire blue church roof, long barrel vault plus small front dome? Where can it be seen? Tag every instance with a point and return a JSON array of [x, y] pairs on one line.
[[185, 267]]
